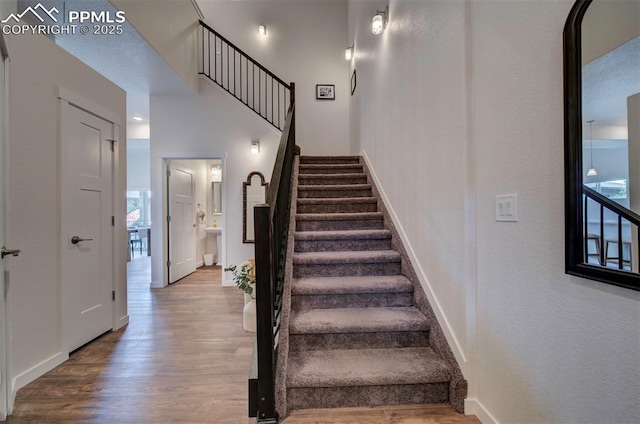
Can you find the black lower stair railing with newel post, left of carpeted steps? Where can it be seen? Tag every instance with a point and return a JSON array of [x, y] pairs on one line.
[[271, 223]]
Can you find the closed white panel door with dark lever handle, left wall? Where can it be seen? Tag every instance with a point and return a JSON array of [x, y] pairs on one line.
[[87, 226]]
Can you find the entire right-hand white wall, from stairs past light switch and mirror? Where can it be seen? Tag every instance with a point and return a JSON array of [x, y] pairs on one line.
[[469, 106]]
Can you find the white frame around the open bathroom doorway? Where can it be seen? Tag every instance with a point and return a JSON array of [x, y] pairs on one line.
[[160, 211]]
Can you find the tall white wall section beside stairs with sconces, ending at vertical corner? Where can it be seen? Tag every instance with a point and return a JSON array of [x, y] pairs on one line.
[[412, 129]]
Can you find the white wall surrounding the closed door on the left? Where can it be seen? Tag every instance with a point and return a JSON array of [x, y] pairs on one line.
[[38, 67]]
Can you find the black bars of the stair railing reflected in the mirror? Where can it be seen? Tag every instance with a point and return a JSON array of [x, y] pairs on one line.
[[620, 213]]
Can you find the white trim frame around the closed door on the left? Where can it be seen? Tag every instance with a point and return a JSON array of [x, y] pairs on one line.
[[68, 98]]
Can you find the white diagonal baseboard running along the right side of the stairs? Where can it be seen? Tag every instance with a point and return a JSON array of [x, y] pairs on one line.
[[455, 345]]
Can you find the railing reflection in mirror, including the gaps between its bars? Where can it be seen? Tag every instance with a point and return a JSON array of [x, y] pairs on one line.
[[614, 247]]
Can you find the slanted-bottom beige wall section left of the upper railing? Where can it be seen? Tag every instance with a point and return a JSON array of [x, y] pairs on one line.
[[171, 28]]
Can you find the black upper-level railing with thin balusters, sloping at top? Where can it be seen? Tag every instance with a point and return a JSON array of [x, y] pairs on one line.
[[244, 78]]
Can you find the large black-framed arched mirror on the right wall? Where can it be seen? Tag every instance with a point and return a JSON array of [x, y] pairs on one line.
[[602, 202]]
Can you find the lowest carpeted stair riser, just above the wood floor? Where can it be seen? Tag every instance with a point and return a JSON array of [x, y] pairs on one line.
[[339, 397]]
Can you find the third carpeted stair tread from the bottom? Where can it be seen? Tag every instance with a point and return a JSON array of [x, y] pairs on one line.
[[351, 285]]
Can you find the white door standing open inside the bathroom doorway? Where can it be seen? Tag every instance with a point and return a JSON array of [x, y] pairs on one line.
[[182, 222]]
